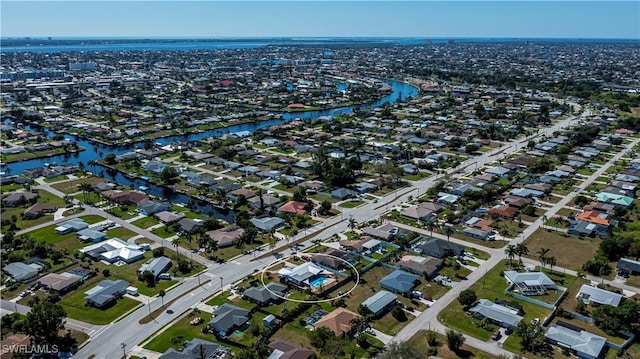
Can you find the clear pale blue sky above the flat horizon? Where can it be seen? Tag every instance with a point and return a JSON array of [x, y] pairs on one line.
[[303, 18]]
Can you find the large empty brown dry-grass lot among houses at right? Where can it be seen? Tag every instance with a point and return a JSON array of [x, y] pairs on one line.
[[570, 251]]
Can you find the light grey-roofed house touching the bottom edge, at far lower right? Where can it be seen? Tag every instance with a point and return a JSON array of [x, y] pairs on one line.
[[581, 343]]
